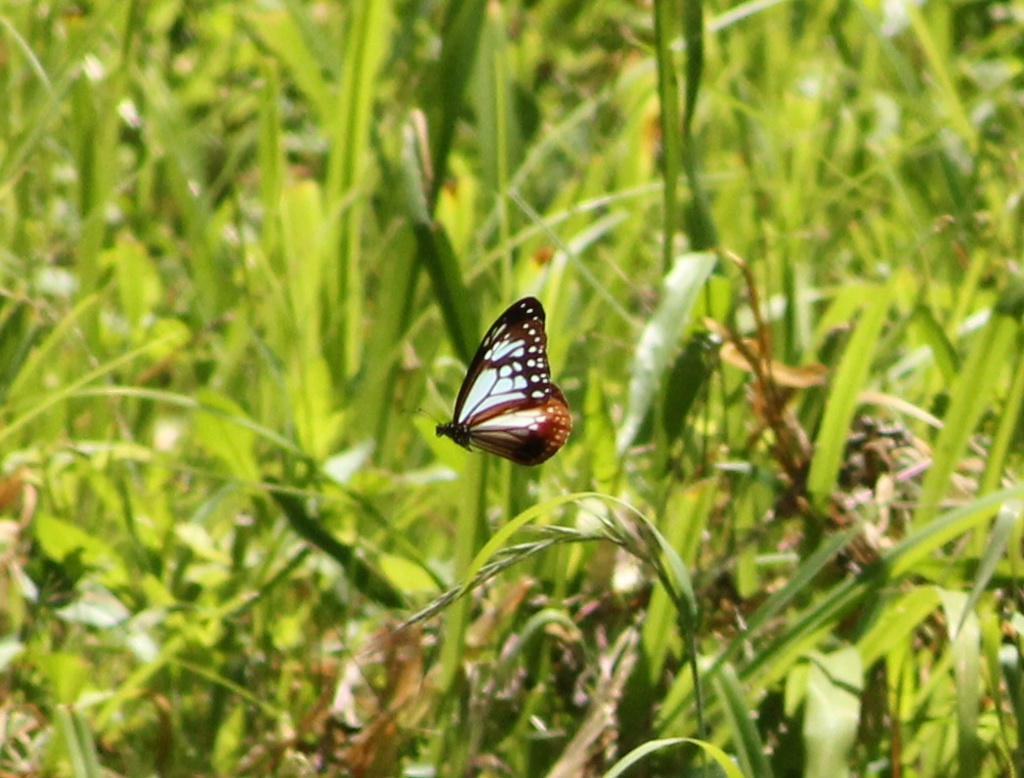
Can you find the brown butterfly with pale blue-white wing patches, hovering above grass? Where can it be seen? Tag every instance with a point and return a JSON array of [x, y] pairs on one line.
[[508, 405]]
